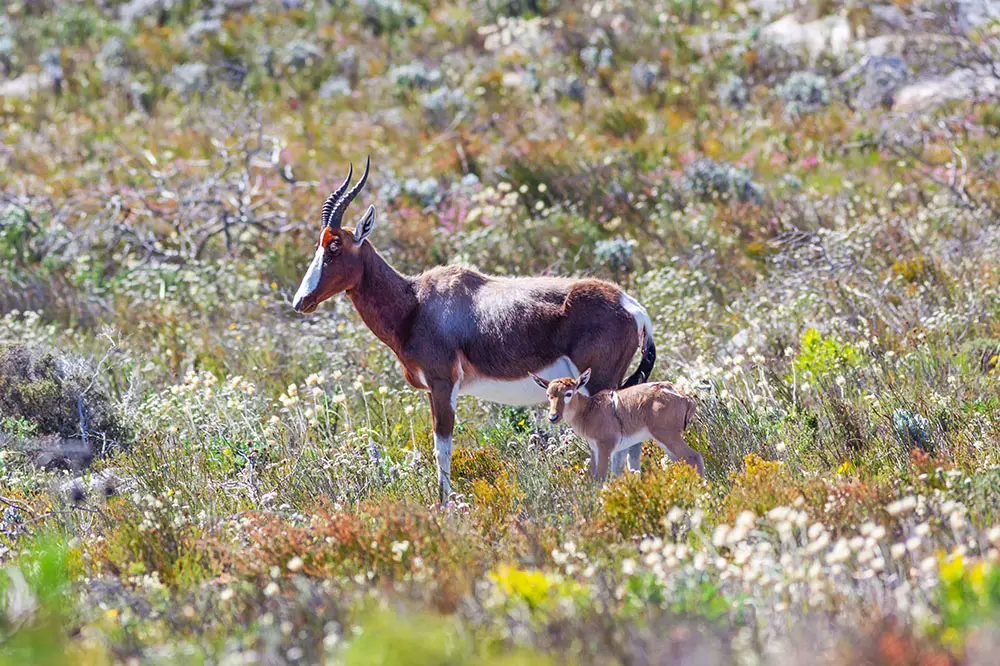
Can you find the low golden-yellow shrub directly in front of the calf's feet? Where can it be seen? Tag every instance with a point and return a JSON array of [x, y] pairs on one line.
[[635, 504]]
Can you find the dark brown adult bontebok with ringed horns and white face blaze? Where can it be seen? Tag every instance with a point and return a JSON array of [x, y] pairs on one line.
[[459, 332]]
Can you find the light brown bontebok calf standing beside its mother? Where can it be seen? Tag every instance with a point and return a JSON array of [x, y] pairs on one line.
[[613, 421]]
